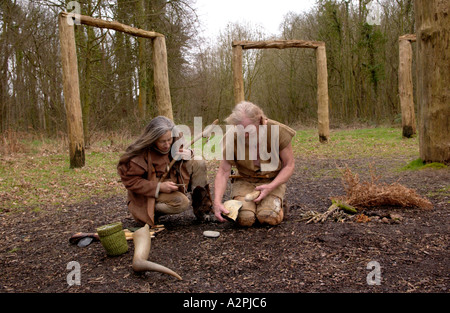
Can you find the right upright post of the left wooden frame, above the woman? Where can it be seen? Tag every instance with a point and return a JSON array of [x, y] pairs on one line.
[[161, 78]]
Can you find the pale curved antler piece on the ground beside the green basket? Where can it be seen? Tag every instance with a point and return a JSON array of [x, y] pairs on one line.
[[142, 244]]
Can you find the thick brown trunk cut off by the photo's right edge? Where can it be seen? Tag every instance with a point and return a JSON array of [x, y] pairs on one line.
[[433, 79]]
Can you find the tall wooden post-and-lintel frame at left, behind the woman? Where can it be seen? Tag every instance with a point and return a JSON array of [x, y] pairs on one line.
[[71, 82]]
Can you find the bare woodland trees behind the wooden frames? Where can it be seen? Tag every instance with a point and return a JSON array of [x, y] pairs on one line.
[[116, 69]]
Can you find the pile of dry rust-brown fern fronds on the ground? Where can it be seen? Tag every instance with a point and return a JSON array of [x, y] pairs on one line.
[[373, 193]]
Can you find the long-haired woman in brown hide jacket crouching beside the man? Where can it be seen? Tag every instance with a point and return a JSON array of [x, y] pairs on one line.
[[142, 166]]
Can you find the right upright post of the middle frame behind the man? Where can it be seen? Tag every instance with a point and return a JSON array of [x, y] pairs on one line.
[[322, 94]]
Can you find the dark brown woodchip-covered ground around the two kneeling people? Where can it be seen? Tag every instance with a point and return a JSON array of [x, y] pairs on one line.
[[293, 257]]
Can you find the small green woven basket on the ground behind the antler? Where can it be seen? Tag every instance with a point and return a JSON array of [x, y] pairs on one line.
[[113, 239]]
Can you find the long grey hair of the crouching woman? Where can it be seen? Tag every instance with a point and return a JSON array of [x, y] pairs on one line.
[[154, 129]]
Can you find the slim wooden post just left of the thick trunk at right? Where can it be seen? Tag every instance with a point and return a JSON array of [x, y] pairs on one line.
[[405, 88]]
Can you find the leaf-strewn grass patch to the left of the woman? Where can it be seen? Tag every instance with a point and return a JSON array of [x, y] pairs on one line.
[[37, 180]]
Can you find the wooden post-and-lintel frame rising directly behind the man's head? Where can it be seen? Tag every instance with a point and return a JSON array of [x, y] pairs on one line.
[[322, 74]]
